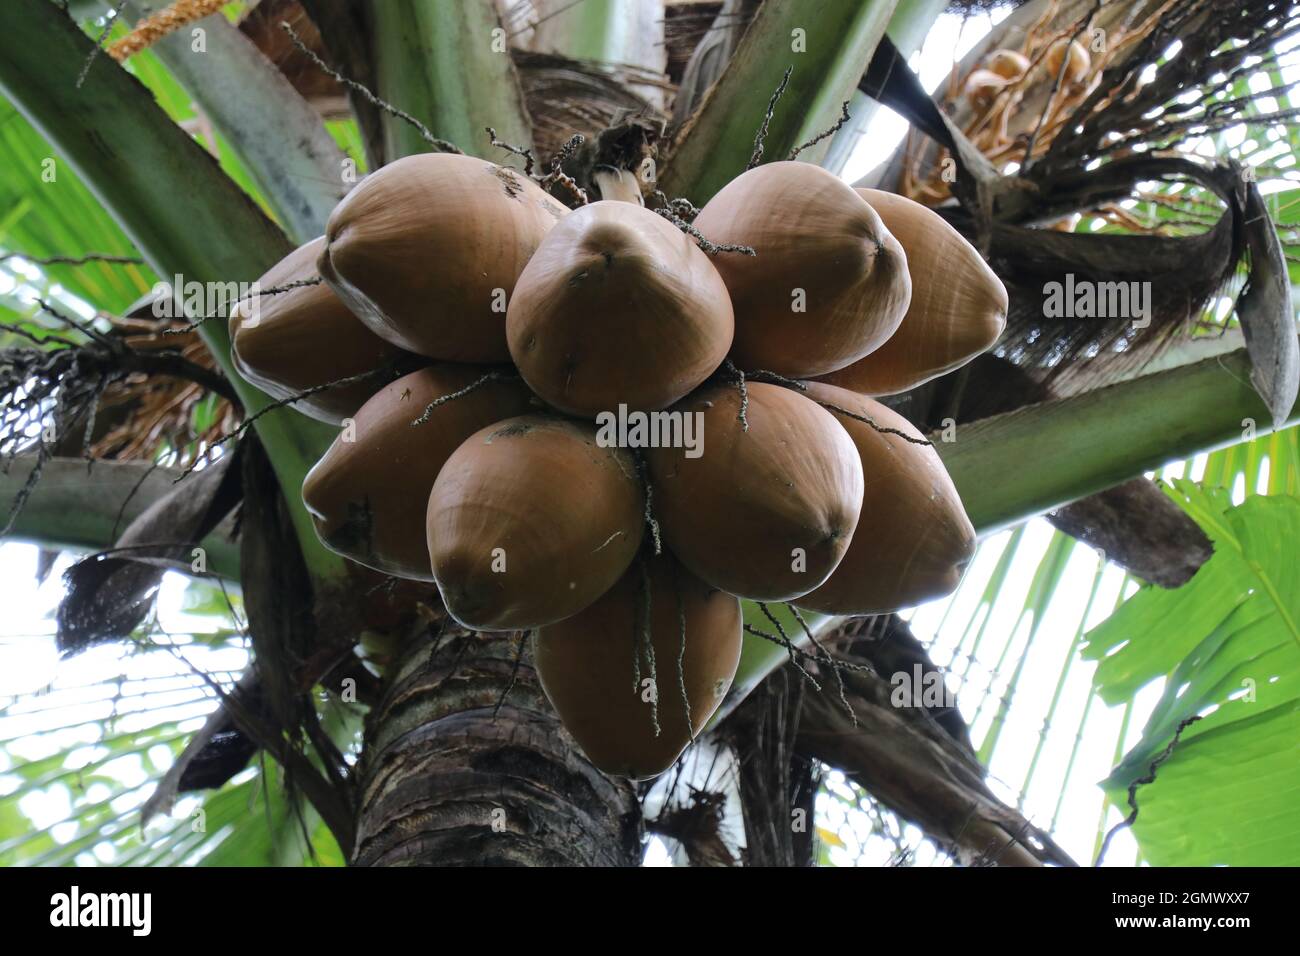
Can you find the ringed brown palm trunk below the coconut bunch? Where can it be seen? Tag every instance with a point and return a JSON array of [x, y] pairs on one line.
[[448, 782]]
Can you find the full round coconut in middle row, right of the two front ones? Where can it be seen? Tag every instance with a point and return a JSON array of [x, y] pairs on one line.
[[765, 513]]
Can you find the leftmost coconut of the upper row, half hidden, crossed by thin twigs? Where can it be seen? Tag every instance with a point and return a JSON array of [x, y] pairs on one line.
[[289, 343]]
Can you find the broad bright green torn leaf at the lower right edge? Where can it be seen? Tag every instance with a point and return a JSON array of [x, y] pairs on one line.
[[1229, 643]]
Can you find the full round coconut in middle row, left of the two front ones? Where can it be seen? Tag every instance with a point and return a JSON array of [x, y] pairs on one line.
[[531, 521]]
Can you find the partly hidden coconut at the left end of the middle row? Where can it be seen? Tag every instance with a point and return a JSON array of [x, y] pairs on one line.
[[367, 494]]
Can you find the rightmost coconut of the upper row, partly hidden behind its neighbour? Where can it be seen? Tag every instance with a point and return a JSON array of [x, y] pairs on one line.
[[959, 305]]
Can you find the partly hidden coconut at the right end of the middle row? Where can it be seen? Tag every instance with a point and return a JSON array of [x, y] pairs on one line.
[[915, 540]]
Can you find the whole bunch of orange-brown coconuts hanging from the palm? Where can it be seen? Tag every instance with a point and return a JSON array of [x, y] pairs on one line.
[[484, 469]]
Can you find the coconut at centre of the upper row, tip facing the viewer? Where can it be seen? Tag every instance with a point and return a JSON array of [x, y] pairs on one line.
[[618, 306]]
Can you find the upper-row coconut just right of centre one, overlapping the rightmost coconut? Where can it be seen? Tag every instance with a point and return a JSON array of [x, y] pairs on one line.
[[829, 283]]
